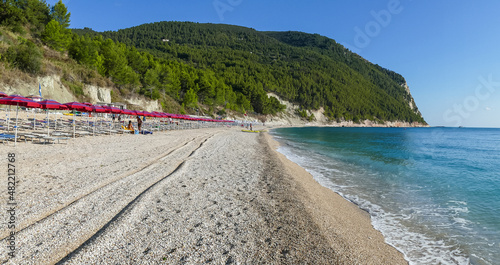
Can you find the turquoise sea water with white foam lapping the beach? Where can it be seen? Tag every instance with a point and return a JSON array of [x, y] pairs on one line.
[[433, 192]]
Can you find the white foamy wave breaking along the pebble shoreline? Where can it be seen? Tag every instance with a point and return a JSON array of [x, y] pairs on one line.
[[418, 244]]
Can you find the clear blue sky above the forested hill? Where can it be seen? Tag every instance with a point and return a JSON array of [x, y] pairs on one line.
[[448, 51]]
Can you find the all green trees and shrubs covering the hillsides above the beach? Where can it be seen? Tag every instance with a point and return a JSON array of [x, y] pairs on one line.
[[188, 66]]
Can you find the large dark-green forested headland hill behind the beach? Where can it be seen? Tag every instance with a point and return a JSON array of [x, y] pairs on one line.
[[310, 70]]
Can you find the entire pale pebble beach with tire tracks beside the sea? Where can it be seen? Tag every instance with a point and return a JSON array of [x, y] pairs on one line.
[[217, 196]]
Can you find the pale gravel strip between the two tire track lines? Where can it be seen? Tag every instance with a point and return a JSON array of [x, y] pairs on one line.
[[63, 232]]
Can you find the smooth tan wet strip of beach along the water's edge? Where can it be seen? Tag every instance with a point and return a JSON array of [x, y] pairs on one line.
[[347, 227]]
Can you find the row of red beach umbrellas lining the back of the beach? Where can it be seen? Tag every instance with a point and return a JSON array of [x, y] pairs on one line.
[[20, 101]]
